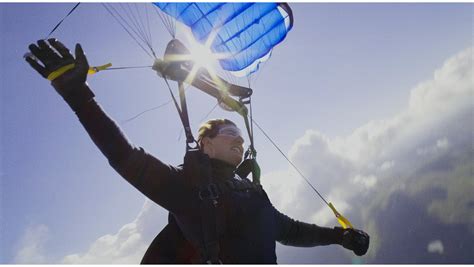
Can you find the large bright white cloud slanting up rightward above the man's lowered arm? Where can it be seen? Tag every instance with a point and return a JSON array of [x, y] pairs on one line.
[[433, 123]]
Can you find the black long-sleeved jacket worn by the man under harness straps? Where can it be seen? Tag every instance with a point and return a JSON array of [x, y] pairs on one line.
[[250, 225]]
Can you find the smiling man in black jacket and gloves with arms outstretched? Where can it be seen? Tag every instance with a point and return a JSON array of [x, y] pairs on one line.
[[215, 215]]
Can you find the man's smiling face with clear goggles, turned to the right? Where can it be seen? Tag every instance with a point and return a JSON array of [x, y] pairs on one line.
[[226, 146]]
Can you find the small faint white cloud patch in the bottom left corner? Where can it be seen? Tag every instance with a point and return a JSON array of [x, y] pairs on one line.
[[32, 245]]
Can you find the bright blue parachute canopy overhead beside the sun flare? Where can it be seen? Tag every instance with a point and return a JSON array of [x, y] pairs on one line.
[[247, 32]]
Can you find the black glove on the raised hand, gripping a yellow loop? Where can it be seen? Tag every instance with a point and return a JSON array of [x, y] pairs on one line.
[[54, 56]]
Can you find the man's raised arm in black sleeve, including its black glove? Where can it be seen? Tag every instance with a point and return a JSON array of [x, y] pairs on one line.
[[68, 76]]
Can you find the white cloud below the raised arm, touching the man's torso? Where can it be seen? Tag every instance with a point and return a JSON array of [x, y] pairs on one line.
[[128, 245]]
